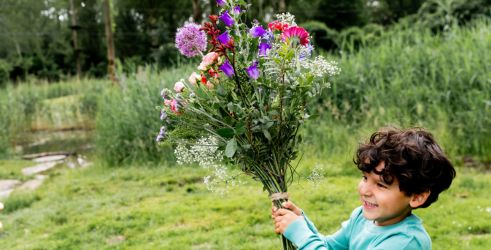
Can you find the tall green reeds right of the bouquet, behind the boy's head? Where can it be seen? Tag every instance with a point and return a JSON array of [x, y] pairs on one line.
[[415, 78]]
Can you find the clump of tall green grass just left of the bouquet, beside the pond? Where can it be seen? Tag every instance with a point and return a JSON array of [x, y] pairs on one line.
[[128, 122]]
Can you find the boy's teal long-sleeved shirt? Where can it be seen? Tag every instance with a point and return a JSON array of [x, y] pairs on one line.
[[360, 233]]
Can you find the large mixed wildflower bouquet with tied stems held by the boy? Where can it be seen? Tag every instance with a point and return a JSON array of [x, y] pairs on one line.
[[250, 94]]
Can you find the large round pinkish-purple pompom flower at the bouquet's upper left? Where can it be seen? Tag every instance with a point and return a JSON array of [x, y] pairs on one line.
[[190, 40]]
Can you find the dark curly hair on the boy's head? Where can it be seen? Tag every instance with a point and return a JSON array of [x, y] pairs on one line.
[[411, 156]]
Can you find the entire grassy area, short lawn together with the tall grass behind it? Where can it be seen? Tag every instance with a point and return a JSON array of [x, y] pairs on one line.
[[135, 197]]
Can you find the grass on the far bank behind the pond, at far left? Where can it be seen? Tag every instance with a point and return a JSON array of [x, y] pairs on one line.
[[22, 104]]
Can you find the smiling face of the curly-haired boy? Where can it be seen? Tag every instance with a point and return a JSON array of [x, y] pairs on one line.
[[383, 203]]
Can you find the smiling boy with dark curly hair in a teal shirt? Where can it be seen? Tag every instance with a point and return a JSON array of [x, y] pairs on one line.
[[402, 170]]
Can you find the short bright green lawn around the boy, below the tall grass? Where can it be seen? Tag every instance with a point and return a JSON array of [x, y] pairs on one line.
[[170, 208]]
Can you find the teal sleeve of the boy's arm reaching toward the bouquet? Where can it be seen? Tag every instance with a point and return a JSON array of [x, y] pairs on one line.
[[303, 234]]
